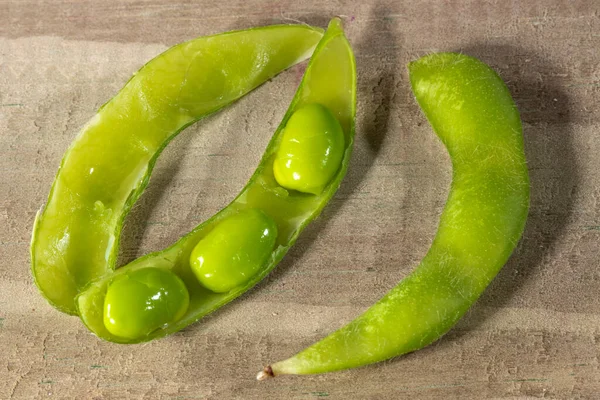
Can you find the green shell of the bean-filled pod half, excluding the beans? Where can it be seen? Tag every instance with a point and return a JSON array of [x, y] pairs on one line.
[[329, 80]]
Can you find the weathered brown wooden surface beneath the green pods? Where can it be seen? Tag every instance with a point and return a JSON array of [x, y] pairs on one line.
[[535, 333]]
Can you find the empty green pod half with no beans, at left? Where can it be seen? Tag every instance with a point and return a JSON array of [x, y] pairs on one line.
[[105, 170]]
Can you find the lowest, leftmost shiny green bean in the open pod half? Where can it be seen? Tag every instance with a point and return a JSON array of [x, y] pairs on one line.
[[139, 302]]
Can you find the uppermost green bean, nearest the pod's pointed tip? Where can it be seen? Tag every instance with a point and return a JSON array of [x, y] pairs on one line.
[[311, 150]]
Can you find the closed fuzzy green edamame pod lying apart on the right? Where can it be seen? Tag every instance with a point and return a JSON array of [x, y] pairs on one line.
[[473, 114]]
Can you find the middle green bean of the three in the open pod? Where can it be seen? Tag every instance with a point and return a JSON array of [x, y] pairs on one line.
[[234, 251]]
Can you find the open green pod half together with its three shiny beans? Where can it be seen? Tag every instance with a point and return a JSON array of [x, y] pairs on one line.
[[236, 248]]
